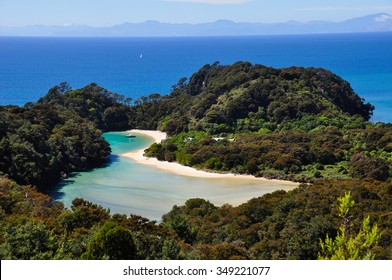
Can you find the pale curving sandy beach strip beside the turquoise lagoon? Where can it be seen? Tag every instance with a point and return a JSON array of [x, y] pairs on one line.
[[179, 169]]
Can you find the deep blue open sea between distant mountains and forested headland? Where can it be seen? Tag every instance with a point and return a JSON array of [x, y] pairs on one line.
[[140, 66]]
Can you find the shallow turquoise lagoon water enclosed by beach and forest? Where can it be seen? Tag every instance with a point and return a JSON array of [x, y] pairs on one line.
[[126, 187]]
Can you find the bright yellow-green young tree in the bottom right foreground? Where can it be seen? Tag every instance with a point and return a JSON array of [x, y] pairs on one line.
[[348, 246]]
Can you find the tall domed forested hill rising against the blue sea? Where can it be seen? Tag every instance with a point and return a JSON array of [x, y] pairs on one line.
[[220, 98]]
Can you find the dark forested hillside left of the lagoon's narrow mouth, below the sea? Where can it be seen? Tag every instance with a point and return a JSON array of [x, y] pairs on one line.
[[60, 134]]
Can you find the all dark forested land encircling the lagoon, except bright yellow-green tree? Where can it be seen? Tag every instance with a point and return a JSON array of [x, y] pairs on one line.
[[302, 124]]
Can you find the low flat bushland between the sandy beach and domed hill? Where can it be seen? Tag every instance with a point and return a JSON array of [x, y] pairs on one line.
[[295, 155]]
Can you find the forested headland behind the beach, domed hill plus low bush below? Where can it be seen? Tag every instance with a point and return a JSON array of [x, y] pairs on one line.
[[295, 123]]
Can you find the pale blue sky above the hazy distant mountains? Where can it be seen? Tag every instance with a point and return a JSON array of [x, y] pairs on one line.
[[111, 12]]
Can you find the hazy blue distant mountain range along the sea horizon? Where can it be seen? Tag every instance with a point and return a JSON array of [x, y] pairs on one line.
[[372, 23]]
